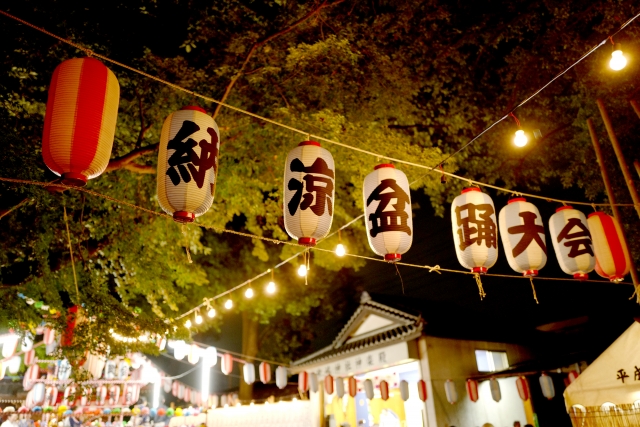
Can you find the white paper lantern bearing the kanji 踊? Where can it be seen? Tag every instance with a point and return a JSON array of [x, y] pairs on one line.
[[475, 233]]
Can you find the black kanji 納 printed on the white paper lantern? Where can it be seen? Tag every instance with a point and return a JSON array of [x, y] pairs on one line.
[[184, 155]]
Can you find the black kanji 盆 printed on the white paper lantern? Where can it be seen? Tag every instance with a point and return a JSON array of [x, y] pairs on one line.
[[389, 220]]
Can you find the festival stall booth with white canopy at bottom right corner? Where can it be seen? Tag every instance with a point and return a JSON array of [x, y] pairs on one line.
[[607, 393]]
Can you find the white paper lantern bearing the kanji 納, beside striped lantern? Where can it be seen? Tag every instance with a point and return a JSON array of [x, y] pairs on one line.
[[188, 163]]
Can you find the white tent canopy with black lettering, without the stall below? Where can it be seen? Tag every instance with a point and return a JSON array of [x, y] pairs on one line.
[[614, 377]]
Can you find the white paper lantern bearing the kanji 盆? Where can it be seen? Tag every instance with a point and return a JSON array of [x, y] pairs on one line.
[[387, 212]]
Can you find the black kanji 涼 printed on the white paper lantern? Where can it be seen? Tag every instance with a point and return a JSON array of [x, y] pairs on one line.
[[320, 186]]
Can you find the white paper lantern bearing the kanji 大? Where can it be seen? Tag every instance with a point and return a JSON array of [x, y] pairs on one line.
[[522, 232]]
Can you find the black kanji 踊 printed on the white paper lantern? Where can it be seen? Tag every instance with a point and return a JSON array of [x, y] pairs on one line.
[[479, 222]]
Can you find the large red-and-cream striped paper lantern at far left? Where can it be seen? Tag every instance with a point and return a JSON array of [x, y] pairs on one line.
[[80, 121]]
